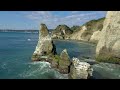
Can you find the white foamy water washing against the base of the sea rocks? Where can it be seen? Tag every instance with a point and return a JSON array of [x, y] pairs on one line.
[[42, 70]]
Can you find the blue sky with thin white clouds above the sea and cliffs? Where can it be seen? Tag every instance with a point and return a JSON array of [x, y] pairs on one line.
[[33, 19]]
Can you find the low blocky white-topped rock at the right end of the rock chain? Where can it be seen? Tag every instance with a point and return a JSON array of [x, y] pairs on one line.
[[80, 70]]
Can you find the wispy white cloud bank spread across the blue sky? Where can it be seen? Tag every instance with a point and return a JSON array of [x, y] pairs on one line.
[[73, 18]]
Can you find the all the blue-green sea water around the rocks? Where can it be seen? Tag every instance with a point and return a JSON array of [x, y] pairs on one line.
[[16, 49]]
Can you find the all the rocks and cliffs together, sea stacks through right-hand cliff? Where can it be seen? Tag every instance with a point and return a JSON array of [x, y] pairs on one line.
[[104, 33]]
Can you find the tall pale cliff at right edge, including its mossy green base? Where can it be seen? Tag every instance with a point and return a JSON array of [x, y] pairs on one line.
[[108, 48]]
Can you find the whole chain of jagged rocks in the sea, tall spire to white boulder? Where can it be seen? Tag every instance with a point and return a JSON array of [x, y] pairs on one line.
[[46, 51]]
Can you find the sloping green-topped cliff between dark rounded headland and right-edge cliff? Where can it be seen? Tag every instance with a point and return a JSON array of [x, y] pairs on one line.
[[86, 32]]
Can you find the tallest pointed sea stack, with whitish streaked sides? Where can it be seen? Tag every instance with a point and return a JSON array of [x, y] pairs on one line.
[[45, 44]]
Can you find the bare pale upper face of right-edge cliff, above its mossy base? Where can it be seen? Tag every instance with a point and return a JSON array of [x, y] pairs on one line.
[[110, 34]]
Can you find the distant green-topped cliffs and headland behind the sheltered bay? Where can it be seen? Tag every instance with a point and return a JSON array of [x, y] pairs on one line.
[[87, 32]]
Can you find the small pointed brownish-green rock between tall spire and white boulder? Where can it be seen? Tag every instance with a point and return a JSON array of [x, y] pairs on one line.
[[62, 62]]
